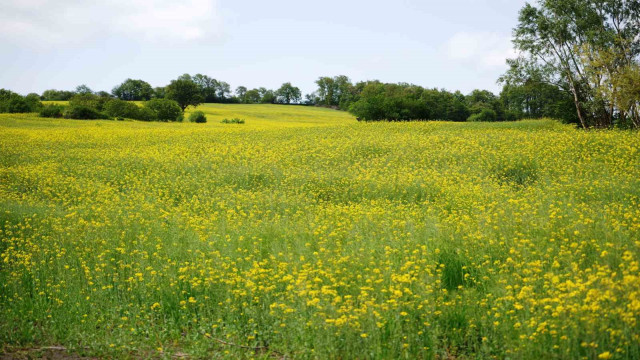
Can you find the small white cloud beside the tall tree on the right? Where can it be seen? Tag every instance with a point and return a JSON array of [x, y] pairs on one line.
[[486, 49]]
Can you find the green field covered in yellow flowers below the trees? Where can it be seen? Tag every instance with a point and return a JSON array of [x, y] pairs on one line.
[[306, 234]]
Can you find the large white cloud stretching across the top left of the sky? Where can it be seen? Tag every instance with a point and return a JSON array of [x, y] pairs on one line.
[[76, 21]]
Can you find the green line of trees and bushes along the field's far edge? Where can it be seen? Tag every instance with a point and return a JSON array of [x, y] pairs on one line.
[[578, 61]]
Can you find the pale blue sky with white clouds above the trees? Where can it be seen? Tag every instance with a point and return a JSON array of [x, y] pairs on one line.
[[60, 44]]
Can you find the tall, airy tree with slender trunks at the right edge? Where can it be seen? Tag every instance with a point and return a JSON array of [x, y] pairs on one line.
[[560, 39]]
